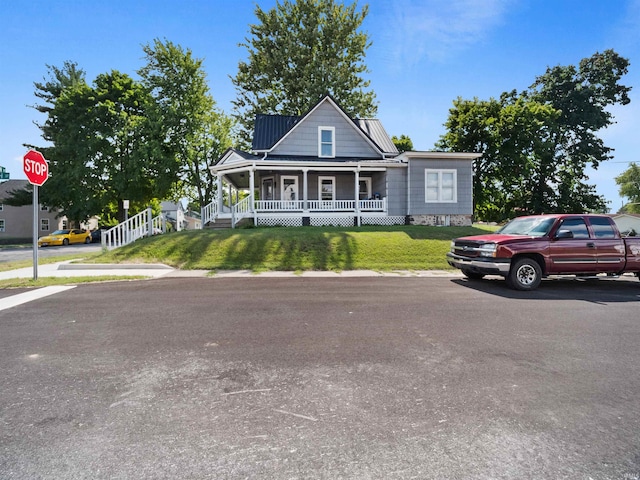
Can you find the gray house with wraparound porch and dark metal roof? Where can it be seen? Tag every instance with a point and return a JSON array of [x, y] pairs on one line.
[[325, 168]]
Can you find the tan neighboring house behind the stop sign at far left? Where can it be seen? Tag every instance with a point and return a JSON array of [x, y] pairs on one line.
[[16, 223]]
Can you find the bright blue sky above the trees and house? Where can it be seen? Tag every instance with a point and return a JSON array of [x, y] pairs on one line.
[[425, 53]]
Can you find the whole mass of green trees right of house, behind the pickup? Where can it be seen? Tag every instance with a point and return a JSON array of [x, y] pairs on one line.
[[536, 145]]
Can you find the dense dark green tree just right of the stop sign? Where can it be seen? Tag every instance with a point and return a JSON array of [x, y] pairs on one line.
[[108, 146]]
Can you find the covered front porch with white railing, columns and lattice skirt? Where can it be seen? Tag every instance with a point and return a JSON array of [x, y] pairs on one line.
[[346, 195]]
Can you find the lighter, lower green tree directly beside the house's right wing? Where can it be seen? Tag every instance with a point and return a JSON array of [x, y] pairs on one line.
[[512, 174]]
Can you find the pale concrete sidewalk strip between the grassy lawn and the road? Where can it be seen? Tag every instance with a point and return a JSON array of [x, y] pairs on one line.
[[156, 270]]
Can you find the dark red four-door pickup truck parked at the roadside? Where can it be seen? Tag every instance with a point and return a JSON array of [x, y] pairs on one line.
[[529, 248]]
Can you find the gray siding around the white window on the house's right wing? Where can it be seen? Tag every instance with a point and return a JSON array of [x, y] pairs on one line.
[[418, 206]]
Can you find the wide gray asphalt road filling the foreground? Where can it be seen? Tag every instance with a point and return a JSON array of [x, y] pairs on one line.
[[365, 378]]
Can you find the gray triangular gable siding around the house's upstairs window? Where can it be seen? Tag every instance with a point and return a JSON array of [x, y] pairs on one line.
[[303, 140]]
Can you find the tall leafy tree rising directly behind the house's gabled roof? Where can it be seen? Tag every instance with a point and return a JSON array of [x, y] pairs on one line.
[[298, 52]]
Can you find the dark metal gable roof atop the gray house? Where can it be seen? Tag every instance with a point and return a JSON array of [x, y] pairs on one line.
[[269, 130]]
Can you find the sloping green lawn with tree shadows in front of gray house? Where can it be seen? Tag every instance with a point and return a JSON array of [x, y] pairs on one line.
[[298, 249]]
